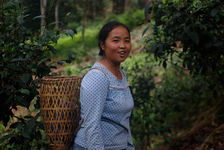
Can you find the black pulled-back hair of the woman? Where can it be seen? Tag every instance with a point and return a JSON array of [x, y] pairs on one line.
[[104, 32]]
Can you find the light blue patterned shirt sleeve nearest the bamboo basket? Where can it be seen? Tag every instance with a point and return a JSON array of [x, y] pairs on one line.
[[93, 95]]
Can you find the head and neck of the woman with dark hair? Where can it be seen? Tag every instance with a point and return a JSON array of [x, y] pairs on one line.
[[115, 45]]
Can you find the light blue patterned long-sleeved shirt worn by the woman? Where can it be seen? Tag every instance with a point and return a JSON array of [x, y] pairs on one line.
[[106, 105]]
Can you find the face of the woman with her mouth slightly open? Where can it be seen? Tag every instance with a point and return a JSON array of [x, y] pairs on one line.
[[117, 45]]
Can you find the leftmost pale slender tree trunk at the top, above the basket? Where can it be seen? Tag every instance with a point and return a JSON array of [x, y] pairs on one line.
[[43, 5]]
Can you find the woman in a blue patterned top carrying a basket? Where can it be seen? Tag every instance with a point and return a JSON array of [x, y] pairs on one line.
[[105, 97]]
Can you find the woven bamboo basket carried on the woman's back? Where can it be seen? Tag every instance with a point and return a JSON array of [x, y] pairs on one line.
[[60, 109]]
